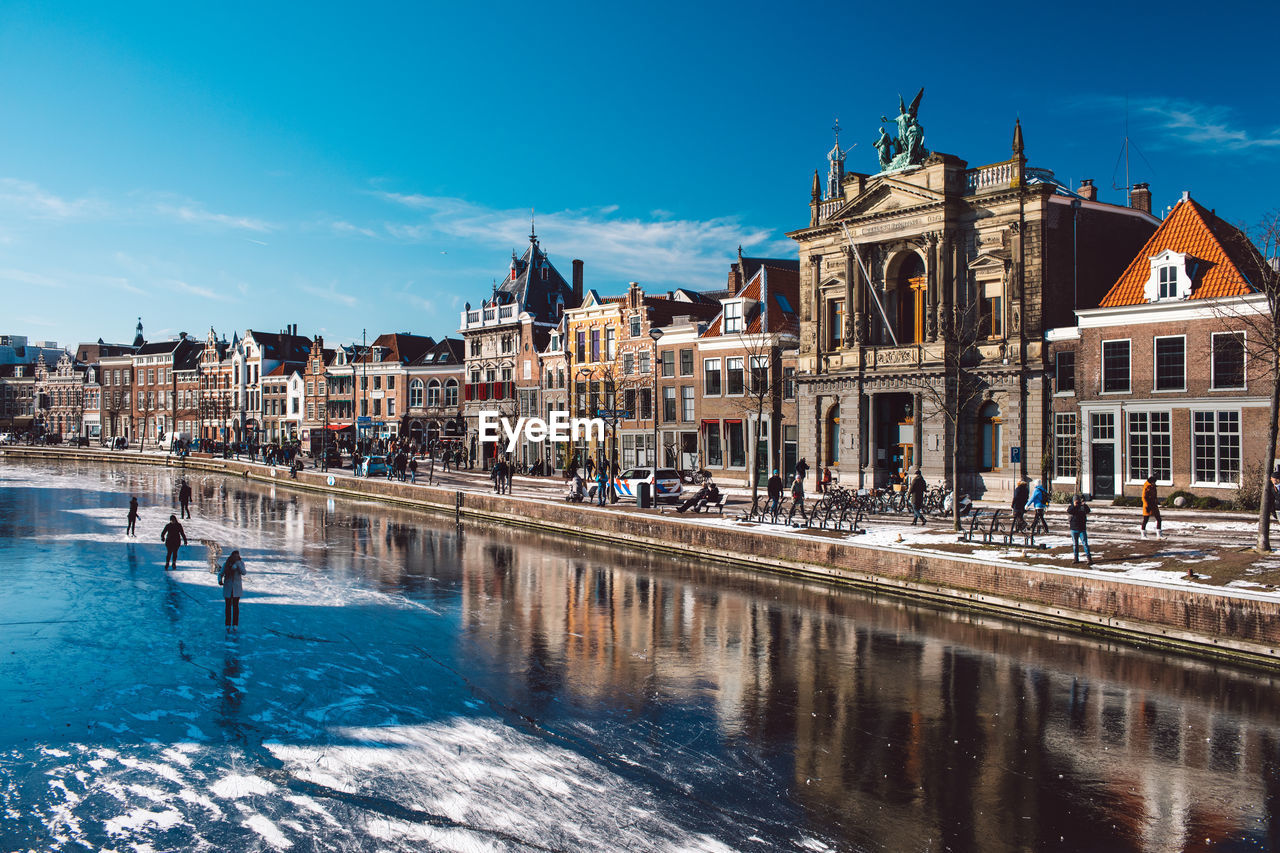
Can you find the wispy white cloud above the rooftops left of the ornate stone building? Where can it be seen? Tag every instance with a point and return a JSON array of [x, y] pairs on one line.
[[665, 249]]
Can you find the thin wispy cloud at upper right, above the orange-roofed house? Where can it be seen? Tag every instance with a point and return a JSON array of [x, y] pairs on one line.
[[1188, 122]]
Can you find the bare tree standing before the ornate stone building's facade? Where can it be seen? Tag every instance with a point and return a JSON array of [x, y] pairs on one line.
[[958, 389]]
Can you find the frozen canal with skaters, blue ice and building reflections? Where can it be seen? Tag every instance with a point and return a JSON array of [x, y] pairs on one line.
[[400, 686]]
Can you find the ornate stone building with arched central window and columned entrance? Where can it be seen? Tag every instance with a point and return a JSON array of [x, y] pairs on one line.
[[913, 270]]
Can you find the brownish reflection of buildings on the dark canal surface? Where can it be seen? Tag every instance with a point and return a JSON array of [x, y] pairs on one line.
[[922, 732]]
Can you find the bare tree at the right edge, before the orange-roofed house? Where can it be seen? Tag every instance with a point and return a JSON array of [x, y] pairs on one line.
[[1260, 261]]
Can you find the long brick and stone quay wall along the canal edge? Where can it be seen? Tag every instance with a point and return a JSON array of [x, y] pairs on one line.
[[1227, 624]]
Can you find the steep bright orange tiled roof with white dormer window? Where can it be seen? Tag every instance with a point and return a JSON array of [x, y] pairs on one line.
[[1223, 262]]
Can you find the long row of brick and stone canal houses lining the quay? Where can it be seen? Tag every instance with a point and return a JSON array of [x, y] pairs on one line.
[[1107, 344]]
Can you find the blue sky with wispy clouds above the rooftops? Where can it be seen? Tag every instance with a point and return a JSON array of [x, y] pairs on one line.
[[351, 167]]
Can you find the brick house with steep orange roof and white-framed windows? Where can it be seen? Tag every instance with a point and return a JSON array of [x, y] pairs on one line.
[[1158, 378]]
